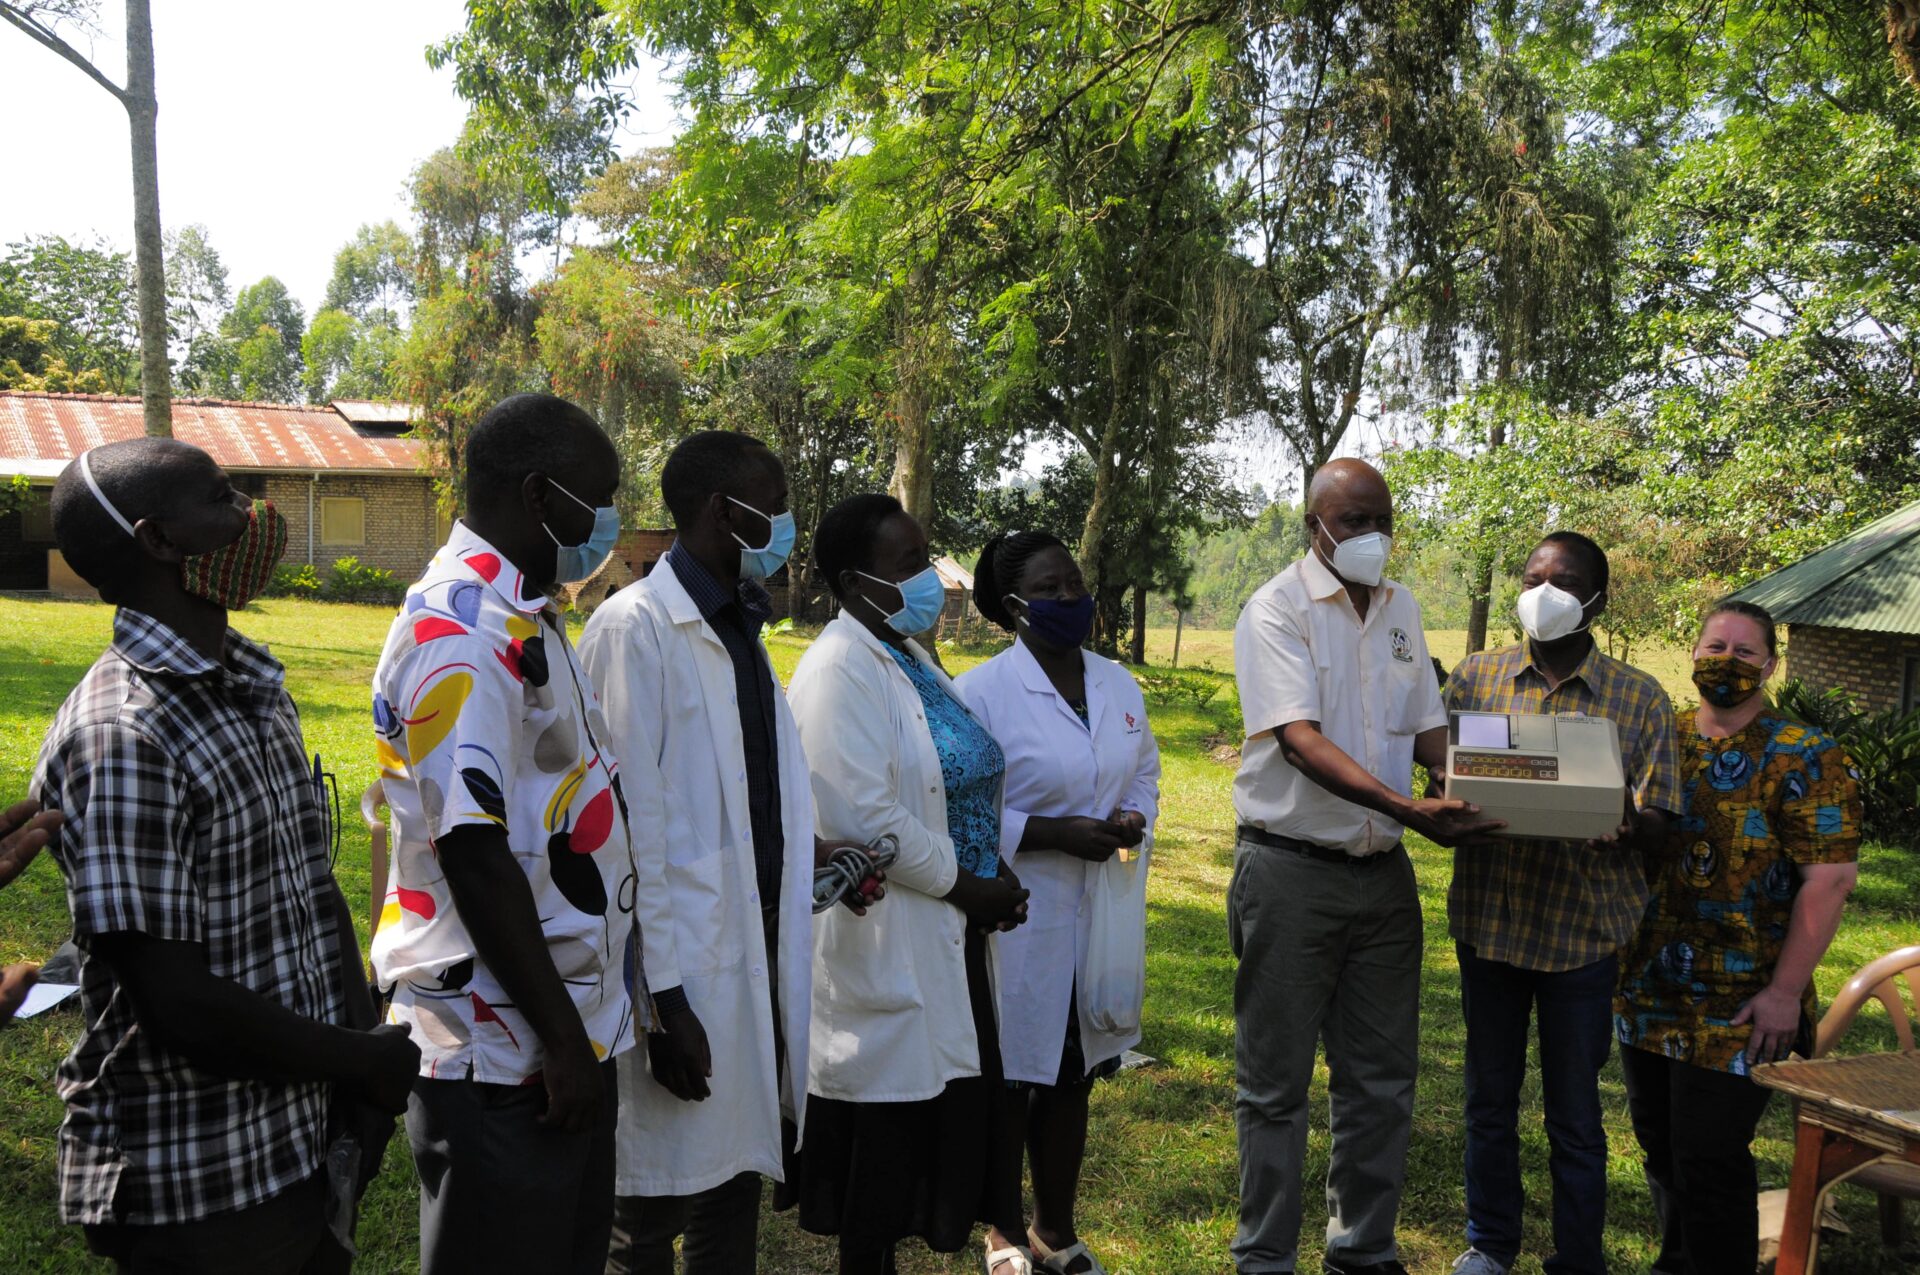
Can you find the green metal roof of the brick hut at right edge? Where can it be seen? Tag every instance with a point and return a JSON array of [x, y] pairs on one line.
[[1867, 581]]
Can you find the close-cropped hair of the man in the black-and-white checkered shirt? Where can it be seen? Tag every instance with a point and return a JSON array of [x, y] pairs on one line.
[[143, 479]]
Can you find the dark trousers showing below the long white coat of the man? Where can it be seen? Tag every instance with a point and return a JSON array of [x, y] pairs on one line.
[[721, 1226]]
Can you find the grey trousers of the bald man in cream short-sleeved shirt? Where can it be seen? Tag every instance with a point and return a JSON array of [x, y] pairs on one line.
[[1328, 951]]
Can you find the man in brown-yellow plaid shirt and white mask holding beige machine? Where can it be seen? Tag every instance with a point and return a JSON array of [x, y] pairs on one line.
[[1541, 923]]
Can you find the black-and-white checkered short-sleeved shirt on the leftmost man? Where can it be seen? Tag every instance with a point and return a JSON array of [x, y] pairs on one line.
[[191, 817]]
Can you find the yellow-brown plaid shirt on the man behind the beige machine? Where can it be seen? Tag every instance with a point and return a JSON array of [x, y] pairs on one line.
[[1558, 905]]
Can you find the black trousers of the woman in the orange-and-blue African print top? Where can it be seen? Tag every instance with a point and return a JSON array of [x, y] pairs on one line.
[[1696, 1130]]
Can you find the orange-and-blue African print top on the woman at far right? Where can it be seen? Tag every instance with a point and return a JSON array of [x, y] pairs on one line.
[[1760, 806]]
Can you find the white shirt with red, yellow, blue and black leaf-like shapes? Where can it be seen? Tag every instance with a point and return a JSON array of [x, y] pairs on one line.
[[483, 717]]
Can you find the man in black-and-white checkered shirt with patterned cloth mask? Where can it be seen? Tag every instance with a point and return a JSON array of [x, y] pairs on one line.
[[216, 950]]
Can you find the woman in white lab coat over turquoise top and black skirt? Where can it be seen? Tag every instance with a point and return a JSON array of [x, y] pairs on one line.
[[905, 1065]]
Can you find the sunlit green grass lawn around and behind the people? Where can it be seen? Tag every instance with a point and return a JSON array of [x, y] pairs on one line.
[[1161, 1178]]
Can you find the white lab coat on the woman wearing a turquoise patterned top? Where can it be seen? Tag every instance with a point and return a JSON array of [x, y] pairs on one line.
[[892, 1013]]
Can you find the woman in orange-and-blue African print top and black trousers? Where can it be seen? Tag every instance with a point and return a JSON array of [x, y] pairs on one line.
[[1744, 900]]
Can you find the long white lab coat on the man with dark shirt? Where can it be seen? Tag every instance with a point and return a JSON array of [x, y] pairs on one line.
[[669, 692]]
